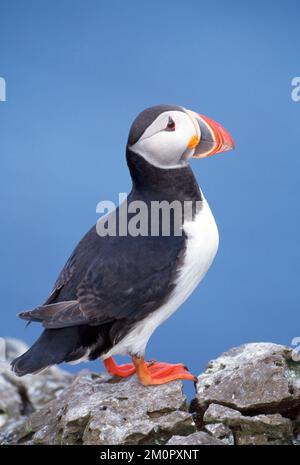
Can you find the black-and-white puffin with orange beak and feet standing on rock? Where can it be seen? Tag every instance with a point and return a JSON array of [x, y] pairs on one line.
[[116, 289]]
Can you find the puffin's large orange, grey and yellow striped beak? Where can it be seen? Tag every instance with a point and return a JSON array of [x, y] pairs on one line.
[[210, 137]]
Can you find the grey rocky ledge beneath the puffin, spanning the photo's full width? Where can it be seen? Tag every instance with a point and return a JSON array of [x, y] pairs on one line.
[[249, 395]]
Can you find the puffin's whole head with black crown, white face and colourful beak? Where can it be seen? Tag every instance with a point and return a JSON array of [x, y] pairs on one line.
[[167, 136]]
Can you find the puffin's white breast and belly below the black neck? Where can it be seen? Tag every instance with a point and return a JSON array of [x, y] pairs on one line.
[[201, 248]]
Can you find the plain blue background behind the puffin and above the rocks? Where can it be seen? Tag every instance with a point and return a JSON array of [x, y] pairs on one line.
[[77, 74]]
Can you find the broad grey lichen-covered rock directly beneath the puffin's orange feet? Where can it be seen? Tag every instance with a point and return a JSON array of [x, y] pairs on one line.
[[93, 410]]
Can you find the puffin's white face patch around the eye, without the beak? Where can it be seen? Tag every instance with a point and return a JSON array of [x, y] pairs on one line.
[[165, 142]]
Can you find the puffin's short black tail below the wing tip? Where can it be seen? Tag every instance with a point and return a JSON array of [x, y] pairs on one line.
[[53, 346]]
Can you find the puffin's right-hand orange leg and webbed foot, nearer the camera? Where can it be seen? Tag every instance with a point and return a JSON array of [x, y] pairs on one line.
[[160, 373]]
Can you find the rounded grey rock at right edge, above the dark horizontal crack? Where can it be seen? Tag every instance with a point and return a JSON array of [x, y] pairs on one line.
[[257, 377]]
